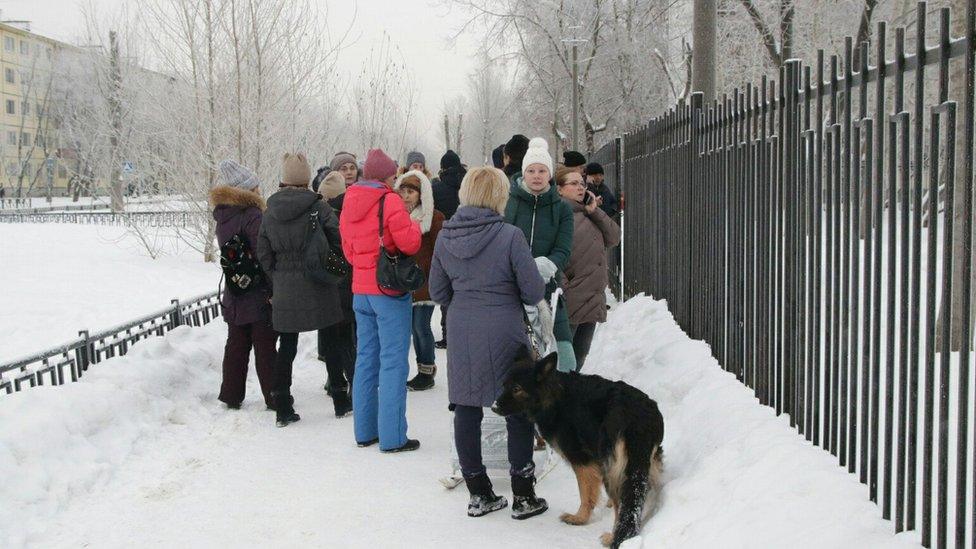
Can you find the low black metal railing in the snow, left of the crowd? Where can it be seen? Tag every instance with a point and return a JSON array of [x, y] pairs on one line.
[[70, 361]]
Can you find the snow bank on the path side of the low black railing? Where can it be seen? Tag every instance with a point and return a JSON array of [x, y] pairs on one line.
[[57, 443]]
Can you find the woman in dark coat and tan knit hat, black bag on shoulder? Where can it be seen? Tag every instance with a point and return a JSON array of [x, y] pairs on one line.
[[299, 304]]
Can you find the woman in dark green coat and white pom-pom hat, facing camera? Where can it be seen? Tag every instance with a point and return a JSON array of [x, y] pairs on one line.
[[547, 221]]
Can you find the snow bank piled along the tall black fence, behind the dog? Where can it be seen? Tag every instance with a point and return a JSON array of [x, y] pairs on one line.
[[736, 475]]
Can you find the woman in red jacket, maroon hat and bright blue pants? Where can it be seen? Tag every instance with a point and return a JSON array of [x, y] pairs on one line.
[[383, 322]]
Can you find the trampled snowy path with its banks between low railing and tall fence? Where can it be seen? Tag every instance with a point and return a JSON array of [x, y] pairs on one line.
[[141, 453]]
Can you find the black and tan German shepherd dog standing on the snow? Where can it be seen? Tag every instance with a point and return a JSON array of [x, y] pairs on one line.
[[609, 431]]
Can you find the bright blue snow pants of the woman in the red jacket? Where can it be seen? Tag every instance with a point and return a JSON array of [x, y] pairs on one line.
[[379, 388]]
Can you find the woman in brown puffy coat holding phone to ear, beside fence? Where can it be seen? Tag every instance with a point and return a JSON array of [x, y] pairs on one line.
[[586, 274]]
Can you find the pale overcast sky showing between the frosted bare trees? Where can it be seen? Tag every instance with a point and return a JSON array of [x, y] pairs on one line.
[[421, 29]]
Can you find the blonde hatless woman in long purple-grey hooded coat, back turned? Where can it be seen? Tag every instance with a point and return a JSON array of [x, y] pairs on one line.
[[483, 271]]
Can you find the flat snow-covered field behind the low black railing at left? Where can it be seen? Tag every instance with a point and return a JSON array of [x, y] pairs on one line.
[[58, 279]]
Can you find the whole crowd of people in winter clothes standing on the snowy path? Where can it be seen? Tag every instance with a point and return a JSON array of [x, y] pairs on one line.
[[490, 240]]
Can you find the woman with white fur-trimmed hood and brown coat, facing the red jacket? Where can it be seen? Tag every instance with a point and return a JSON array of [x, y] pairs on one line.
[[415, 189]]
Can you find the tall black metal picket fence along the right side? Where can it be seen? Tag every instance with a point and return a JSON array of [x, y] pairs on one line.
[[806, 228]]
